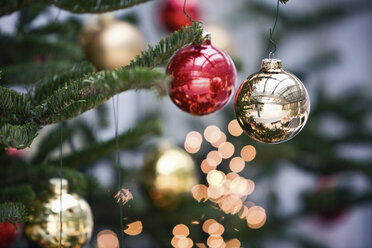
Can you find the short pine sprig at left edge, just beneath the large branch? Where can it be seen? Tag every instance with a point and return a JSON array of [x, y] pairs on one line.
[[17, 136]]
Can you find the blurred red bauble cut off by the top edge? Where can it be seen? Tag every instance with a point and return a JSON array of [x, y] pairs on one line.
[[172, 16]]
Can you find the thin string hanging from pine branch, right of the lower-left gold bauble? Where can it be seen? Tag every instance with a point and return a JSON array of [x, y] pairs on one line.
[[115, 106]]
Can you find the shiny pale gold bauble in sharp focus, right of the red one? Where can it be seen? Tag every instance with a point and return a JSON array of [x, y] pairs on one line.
[[272, 105]]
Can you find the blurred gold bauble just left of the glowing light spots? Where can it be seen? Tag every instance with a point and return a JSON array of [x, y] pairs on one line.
[[168, 175]]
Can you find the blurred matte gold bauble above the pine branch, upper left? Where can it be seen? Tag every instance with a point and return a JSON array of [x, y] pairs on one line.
[[111, 44]]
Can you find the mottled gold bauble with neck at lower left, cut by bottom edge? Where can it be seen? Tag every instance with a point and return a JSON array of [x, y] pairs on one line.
[[77, 221]]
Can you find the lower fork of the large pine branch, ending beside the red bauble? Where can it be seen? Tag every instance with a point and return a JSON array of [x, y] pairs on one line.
[[92, 90]]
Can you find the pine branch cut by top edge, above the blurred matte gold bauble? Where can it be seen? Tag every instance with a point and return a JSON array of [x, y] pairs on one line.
[[95, 6]]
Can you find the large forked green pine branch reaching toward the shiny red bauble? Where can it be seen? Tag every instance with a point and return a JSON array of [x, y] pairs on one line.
[[79, 89]]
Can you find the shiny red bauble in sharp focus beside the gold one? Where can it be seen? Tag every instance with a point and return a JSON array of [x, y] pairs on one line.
[[204, 78]]
